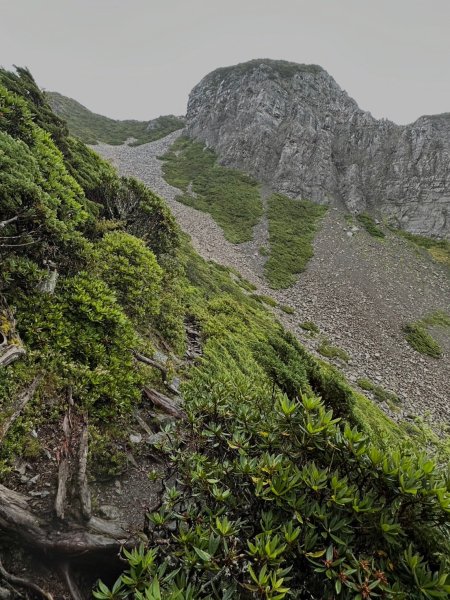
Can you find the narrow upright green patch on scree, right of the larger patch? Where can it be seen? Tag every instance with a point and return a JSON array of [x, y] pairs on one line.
[[292, 225]]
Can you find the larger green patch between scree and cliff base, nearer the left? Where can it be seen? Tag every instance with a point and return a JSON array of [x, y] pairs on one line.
[[232, 198]]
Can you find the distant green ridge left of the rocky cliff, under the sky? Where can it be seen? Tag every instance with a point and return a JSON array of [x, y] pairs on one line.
[[92, 128]]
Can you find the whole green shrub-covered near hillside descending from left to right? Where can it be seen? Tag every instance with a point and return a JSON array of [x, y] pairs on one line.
[[276, 480]]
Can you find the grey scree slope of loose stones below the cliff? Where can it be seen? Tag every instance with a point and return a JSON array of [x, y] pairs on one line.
[[357, 289]]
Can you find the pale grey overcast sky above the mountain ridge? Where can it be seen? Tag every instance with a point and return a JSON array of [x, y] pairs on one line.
[[140, 58]]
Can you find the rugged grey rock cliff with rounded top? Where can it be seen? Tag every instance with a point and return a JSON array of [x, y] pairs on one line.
[[295, 129]]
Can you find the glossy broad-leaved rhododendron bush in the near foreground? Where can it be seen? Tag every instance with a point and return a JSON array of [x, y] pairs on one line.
[[272, 502]]
